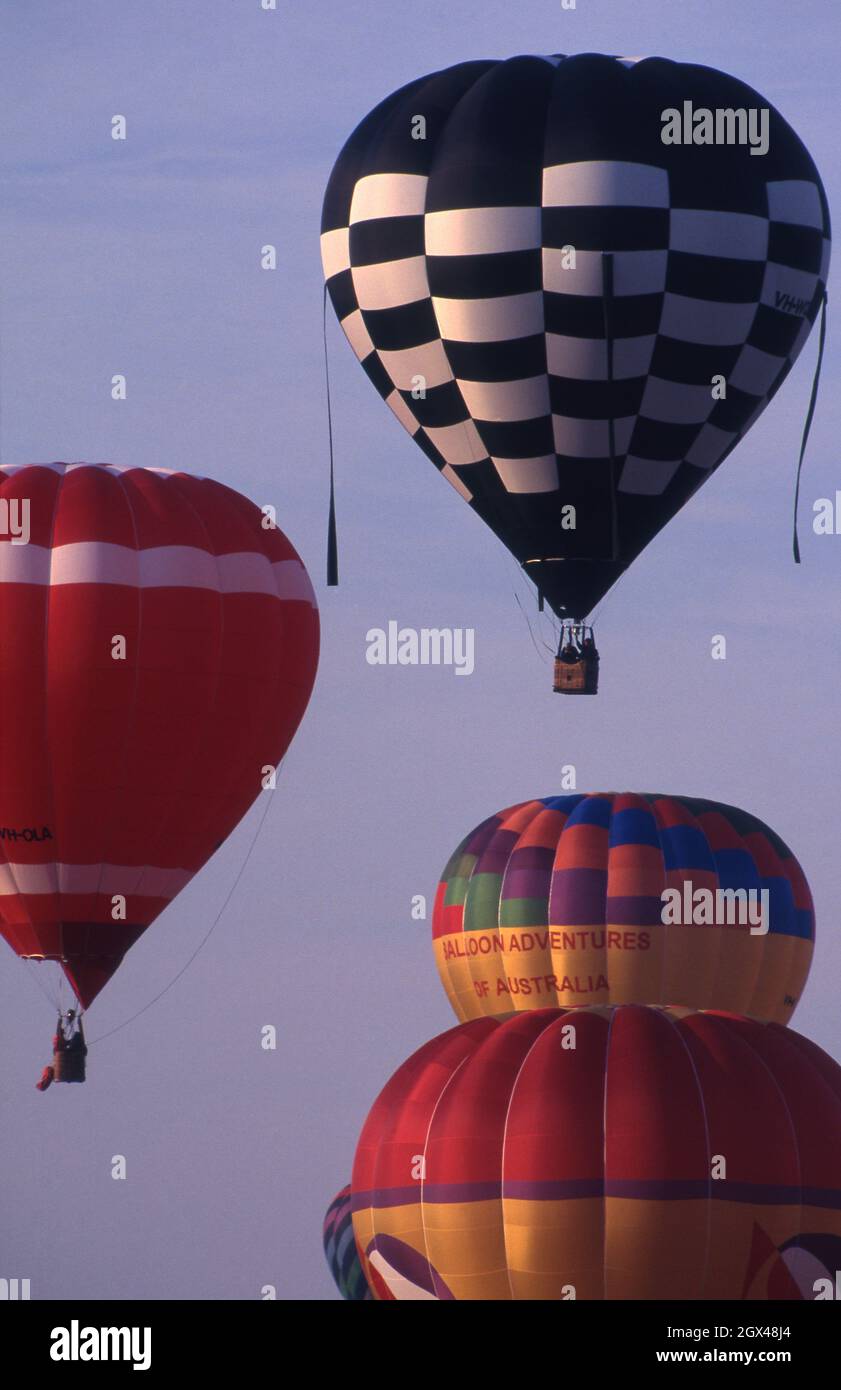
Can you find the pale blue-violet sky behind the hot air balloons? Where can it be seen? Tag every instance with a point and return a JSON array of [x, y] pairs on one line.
[[142, 258]]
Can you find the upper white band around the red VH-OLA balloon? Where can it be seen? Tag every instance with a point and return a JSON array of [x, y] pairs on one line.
[[166, 566]]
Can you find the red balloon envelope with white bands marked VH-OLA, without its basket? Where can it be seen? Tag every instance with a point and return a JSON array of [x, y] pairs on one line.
[[161, 643]]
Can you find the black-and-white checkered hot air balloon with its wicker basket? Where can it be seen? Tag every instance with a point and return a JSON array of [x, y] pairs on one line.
[[547, 288]]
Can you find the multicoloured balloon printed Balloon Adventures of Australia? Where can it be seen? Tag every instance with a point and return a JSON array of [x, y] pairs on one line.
[[623, 899]]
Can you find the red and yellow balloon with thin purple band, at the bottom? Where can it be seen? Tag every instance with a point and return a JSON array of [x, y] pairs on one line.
[[604, 1154]]
